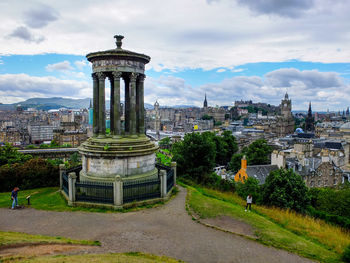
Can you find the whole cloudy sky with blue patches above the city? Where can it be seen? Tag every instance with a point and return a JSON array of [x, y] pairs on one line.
[[228, 49]]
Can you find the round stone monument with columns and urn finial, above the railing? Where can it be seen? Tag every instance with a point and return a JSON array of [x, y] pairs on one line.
[[126, 151]]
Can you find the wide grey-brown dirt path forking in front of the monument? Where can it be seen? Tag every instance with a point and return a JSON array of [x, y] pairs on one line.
[[166, 230]]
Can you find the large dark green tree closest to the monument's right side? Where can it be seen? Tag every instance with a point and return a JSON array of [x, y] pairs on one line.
[[195, 156]]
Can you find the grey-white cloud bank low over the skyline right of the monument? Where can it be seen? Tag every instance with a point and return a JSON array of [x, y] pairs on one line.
[[321, 88]]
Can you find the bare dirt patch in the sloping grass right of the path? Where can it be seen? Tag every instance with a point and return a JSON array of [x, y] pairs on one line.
[[230, 224]]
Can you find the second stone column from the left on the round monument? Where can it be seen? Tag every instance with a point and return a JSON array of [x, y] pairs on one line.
[[101, 105]]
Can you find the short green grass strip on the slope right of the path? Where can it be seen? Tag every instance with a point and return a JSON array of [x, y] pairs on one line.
[[209, 204]]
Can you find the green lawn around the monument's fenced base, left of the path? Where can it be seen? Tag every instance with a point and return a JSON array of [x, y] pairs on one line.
[[50, 198]]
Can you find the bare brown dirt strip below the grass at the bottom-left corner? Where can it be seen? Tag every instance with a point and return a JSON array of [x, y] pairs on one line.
[[40, 249]]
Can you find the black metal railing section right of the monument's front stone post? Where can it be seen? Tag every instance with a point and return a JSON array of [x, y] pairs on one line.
[[141, 190]]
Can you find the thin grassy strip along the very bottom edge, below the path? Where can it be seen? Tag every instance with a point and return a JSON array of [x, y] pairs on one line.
[[131, 257]]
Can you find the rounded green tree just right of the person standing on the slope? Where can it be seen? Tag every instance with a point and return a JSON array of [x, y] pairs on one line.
[[285, 189]]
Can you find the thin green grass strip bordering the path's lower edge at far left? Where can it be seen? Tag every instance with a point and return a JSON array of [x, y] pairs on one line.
[[11, 238]]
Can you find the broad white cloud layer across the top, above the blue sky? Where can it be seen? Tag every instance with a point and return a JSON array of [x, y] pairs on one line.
[[219, 34]]
